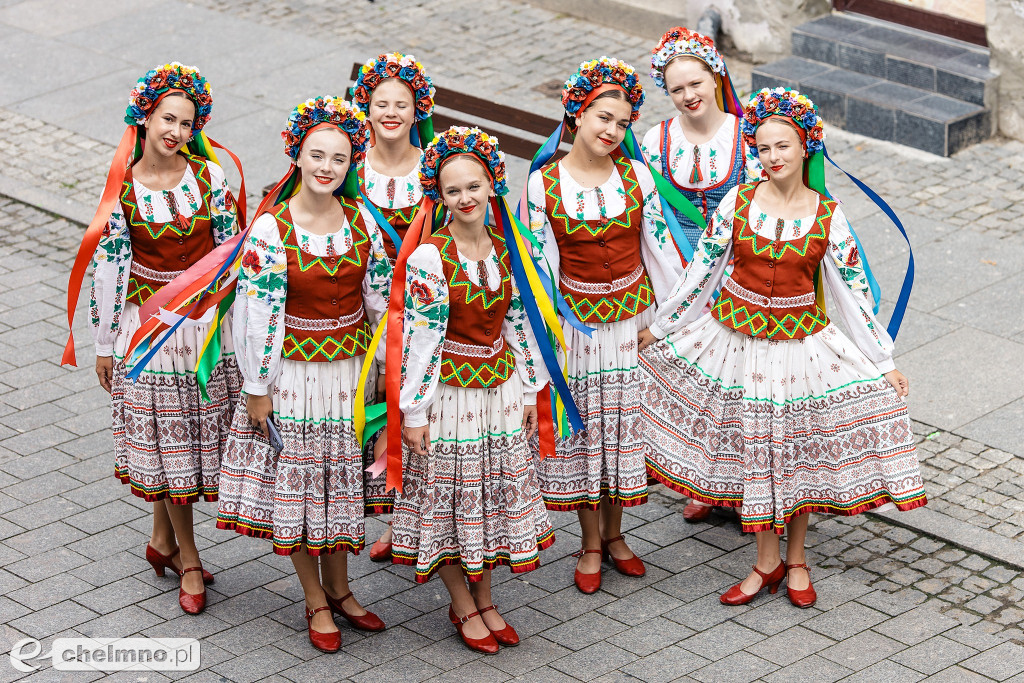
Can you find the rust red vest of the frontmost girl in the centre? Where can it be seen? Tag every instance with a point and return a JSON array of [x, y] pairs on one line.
[[475, 354]]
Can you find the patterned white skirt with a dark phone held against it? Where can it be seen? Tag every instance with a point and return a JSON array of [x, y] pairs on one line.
[[312, 493]]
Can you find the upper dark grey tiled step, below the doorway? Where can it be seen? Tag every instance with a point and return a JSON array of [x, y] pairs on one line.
[[901, 55]]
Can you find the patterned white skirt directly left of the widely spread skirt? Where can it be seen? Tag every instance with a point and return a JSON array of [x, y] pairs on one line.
[[607, 459]]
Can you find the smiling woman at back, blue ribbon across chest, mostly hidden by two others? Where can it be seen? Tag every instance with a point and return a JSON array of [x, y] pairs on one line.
[[396, 94]]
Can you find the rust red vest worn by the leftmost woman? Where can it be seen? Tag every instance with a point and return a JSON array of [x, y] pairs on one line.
[[163, 251]]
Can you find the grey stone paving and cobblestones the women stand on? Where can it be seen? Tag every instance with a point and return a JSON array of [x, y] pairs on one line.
[[897, 604]]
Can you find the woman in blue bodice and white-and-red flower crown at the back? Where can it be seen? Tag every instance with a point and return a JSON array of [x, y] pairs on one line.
[[701, 152]]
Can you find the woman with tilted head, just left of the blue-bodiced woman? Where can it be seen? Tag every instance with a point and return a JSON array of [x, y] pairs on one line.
[[599, 222]]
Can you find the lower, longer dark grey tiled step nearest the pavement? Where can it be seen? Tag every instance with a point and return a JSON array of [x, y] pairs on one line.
[[879, 108]]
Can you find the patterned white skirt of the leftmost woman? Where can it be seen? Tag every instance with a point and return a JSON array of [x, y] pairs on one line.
[[167, 441]]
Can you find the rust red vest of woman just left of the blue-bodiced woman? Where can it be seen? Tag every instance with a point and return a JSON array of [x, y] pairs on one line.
[[602, 274]]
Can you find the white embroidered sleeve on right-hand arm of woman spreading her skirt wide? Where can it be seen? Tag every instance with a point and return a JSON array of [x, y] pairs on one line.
[[847, 283]]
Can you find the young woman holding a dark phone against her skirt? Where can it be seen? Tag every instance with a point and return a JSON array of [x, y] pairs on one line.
[[314, 283]]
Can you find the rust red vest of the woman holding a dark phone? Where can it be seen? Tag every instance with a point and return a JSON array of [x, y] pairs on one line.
[[324, 315]]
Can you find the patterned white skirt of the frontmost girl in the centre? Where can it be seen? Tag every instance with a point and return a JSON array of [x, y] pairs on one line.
[[475, 501]]
